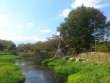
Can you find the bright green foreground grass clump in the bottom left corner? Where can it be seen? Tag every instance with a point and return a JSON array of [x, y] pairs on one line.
[[10, 73]]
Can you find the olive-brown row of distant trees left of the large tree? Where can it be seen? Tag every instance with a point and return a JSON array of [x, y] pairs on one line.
[[41, 50]]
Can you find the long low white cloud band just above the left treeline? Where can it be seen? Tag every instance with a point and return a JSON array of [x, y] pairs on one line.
[[21, 38]]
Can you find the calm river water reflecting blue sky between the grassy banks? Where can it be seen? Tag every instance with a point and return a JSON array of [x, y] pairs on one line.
[[34, 74]]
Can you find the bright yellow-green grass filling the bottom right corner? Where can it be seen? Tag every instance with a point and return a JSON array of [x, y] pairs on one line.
[[97, 74]]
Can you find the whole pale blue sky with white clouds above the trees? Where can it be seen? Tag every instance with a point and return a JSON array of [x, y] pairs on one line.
[[29, 21]]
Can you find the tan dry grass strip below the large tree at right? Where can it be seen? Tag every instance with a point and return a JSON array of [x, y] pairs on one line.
[[98, 57]]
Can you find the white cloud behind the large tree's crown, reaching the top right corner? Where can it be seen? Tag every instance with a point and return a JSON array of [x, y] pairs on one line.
[[88, 3]]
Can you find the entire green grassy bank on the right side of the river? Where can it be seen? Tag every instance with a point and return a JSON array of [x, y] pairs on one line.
[[79, 71]]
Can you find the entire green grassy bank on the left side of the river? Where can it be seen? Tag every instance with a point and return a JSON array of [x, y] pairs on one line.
[[9, 71]]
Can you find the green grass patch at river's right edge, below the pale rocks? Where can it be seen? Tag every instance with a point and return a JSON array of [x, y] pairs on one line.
[[61, 66]]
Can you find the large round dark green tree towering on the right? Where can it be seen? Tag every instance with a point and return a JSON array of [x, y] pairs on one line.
[[81, 29]]
